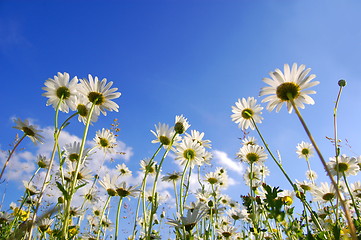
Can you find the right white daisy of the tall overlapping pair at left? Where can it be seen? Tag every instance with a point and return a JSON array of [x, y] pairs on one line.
[[99, 93]]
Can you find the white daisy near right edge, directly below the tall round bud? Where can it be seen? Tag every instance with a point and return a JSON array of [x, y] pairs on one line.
[[344, 165]]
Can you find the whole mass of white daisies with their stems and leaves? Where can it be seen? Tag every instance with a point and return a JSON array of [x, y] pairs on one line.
[[199, 208]]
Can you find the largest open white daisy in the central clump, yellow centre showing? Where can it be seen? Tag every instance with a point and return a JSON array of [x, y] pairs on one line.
[[190, 151]]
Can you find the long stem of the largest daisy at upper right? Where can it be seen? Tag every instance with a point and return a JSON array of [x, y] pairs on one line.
[[343, 204]]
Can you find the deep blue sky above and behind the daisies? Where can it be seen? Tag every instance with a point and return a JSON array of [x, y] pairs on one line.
[[185, 57]]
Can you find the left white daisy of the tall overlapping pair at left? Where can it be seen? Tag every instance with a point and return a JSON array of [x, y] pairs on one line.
[[60, 88]]
